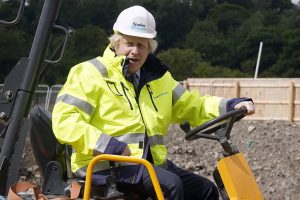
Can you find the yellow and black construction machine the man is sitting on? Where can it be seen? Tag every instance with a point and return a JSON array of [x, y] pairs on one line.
[[233, 175]]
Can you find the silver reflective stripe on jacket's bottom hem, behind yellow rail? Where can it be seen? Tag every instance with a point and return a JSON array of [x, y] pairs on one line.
[[103, 165]]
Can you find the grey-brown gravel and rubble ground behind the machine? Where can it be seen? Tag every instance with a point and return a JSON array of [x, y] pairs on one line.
[[272, 149]]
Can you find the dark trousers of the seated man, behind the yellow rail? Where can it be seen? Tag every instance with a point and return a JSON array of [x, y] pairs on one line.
[[176, 184]]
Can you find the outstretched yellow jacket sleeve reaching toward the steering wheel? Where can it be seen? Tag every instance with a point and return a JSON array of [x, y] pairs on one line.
[[192, 107]]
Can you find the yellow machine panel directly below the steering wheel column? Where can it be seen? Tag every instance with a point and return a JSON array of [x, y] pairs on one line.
[[238, 179]]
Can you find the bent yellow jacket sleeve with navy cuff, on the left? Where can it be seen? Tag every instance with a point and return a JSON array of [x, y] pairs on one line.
[[74, 107]]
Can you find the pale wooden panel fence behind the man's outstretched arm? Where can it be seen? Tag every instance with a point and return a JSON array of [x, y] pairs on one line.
[[277, 99]]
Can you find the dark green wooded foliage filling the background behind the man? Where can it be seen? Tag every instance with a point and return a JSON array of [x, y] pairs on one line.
[[209, 38]]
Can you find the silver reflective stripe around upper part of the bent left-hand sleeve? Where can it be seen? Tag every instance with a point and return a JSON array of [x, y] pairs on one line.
[[79, 103]]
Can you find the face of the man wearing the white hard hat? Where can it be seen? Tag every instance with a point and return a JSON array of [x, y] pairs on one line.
[[136, 49]]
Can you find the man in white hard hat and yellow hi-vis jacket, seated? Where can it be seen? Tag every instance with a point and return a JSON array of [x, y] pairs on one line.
[[123, 103]]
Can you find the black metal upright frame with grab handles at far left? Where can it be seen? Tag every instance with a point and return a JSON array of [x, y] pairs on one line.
[[18, 90]]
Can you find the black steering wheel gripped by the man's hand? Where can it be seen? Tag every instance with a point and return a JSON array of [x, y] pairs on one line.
[[221, 126]]
